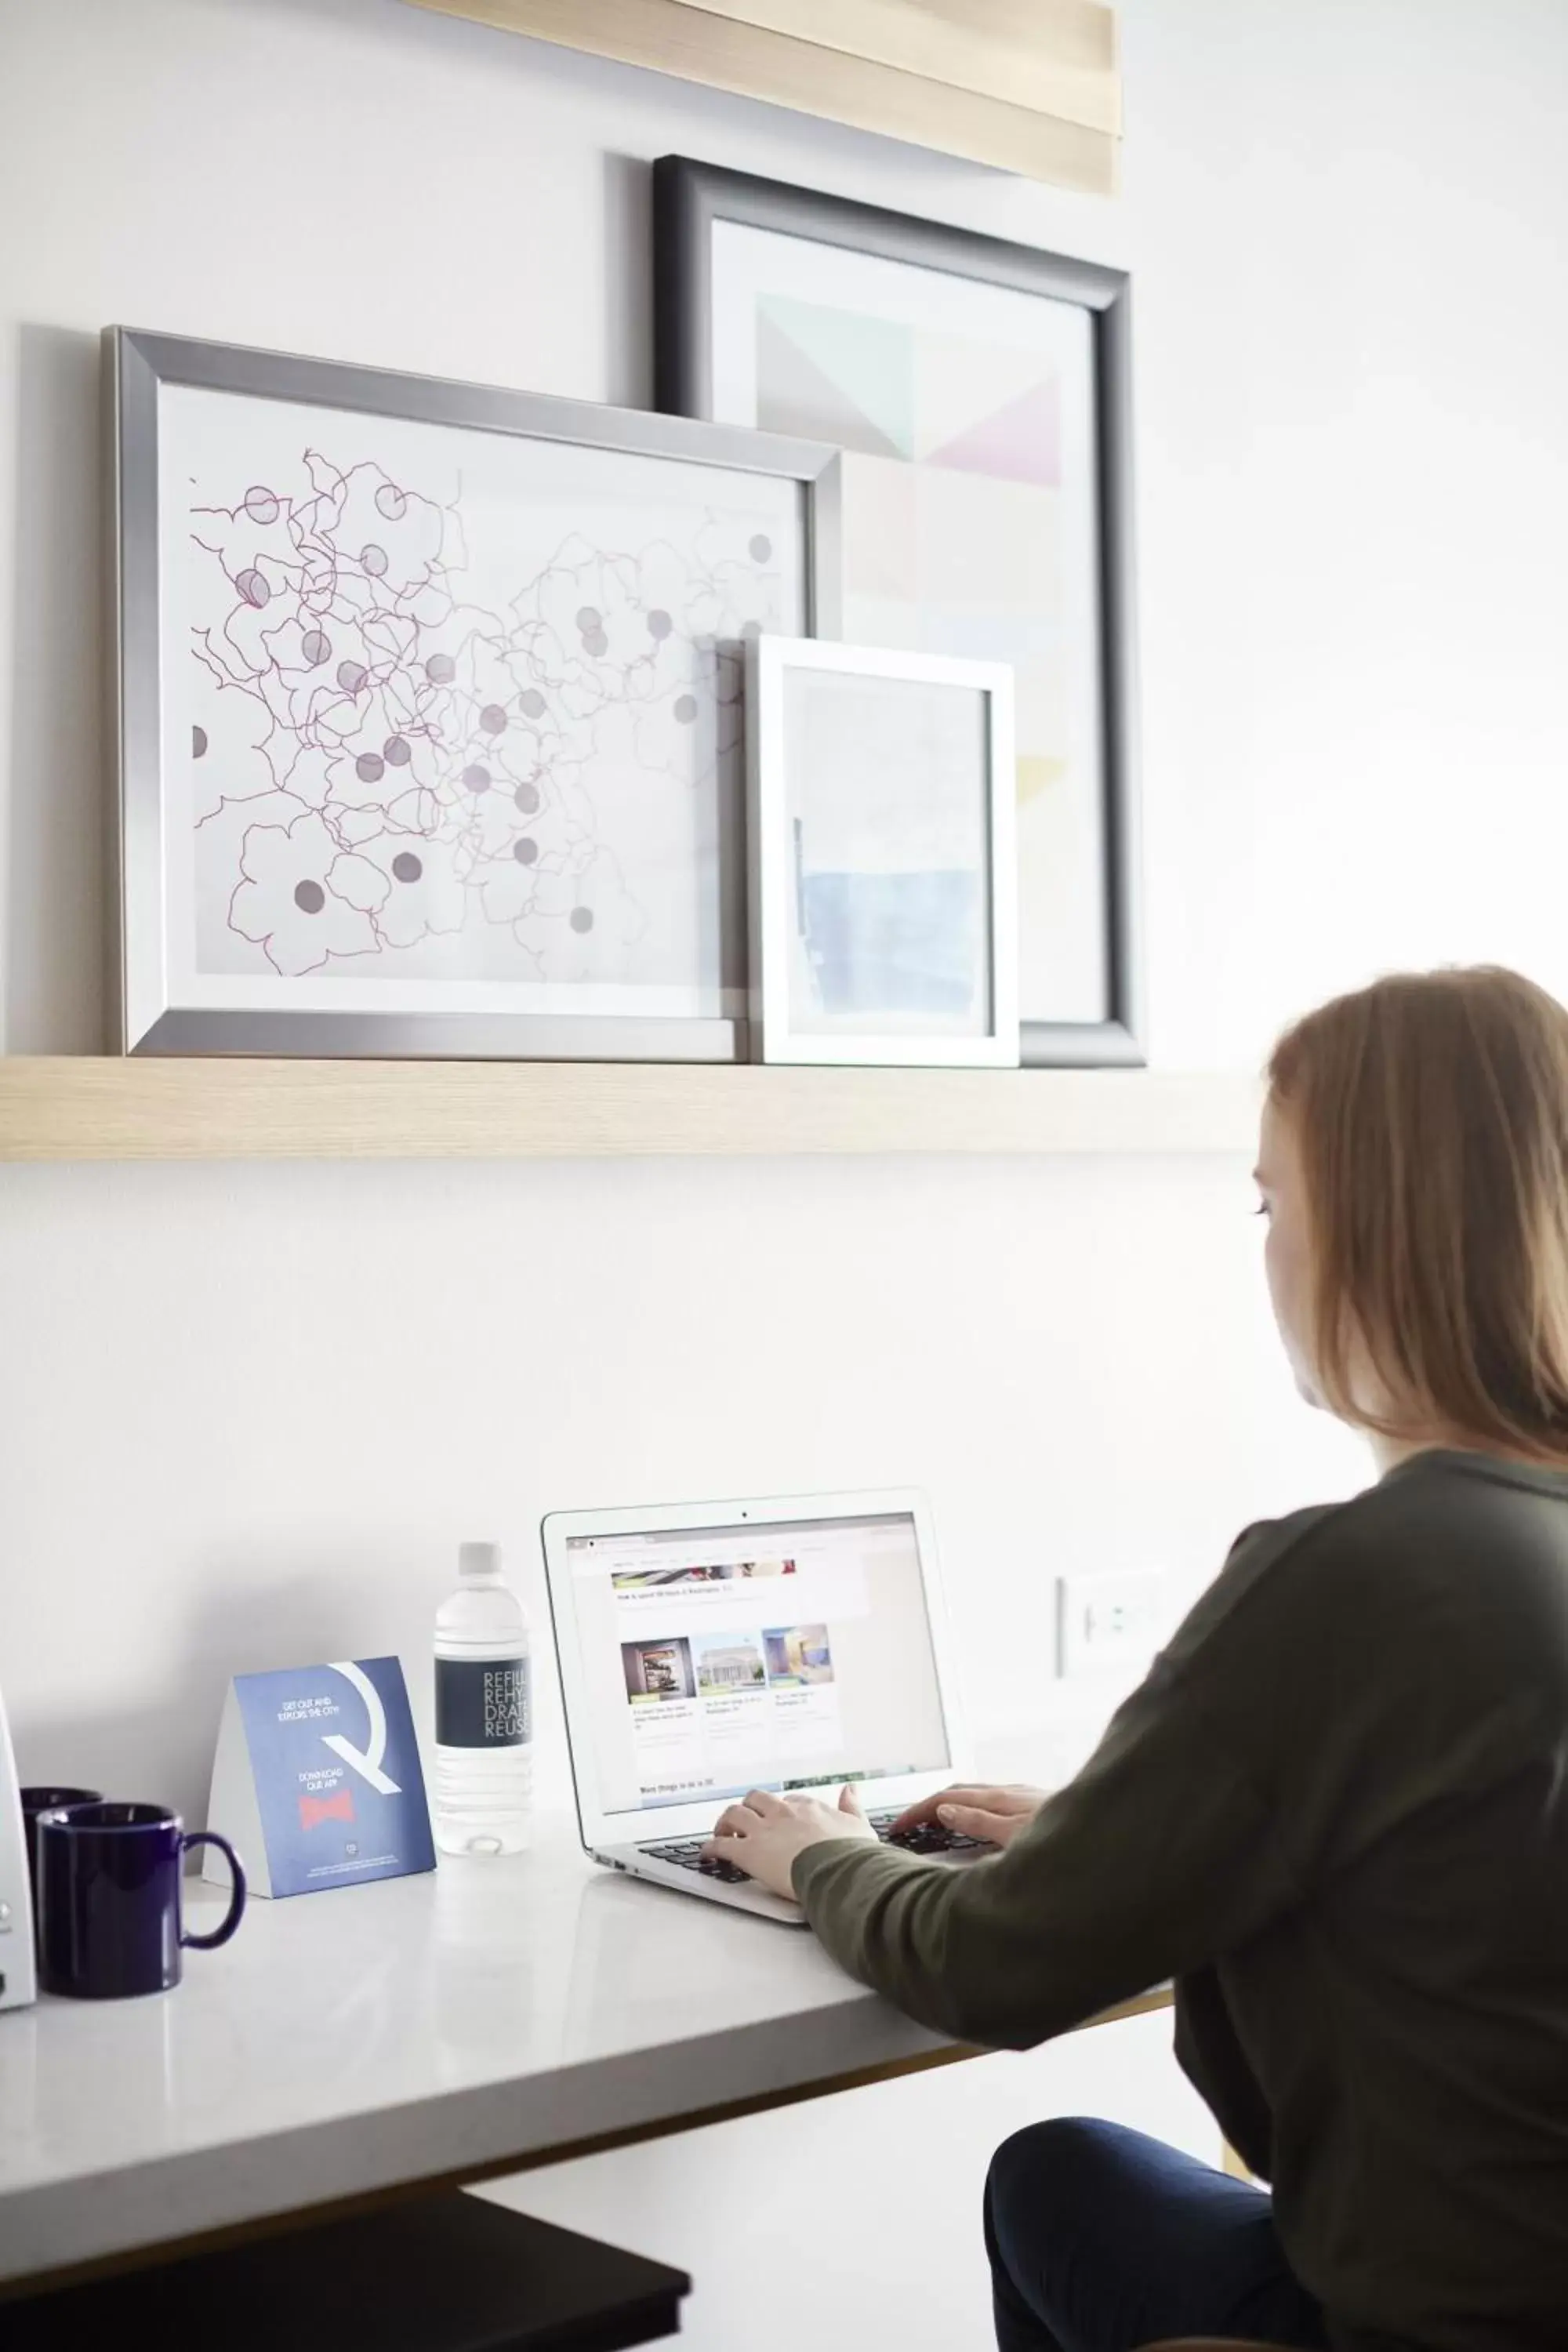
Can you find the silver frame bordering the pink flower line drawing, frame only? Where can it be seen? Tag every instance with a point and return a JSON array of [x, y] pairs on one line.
[[161, 1017]]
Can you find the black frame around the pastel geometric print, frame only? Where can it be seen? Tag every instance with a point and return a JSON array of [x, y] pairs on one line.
[[690, 199]]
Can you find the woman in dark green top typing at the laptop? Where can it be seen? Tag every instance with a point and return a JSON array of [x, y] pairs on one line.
[[1339, 1808]]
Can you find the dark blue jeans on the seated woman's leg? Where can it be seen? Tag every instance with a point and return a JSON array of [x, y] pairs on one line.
[[1104, 2240]]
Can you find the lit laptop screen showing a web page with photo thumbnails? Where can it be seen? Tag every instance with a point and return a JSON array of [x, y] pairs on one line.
[[784, 1657]]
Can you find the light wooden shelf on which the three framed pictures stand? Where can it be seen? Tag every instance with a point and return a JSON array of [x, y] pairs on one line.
[[109, 1109]]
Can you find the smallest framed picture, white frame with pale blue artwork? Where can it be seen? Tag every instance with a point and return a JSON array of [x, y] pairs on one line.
[[885, 883]]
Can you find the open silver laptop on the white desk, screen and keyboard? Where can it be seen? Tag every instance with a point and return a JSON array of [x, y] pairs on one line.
[[718, 1648]]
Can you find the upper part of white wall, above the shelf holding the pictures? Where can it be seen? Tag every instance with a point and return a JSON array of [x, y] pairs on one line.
[[1353, 370]]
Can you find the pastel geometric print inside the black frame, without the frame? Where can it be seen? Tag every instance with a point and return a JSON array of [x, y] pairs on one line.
[[956, 537]]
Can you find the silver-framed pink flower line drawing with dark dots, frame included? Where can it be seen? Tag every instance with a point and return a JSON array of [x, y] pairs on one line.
[[431, 730]]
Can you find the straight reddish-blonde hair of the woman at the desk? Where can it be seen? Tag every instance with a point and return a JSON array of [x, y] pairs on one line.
[[1430, 1114]]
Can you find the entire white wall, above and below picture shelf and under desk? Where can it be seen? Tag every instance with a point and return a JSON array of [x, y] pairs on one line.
[[246, 1412]]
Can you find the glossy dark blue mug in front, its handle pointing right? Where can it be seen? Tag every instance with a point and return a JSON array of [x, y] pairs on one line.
[[109, 1918]]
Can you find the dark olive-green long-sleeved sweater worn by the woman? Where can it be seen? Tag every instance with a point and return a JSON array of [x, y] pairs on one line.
[[1339, 1817]]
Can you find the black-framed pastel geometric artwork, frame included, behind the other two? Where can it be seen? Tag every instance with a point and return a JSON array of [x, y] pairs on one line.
[[979, 394]]
